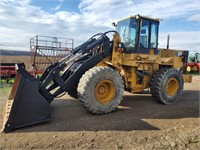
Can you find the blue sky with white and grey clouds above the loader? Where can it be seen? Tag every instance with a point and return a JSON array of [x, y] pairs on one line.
[[80, 19]]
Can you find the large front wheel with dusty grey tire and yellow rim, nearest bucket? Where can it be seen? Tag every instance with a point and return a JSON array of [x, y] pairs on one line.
[[101, 90]]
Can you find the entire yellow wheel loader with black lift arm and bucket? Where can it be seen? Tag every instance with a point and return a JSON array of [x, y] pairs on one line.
[[99, 71]]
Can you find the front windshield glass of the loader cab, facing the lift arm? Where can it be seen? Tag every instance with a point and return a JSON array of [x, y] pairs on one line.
[[127, 31]]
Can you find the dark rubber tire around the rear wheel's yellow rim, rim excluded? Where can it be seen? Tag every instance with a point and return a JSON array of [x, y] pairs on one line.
[[158, 83]]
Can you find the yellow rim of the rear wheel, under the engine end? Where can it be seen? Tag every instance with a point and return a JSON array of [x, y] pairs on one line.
[[172, 86]]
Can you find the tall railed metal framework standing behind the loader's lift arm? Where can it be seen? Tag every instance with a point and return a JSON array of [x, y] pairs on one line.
[[47, 50]]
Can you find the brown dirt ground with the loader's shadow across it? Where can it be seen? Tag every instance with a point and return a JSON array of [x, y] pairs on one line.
[[139, 123]]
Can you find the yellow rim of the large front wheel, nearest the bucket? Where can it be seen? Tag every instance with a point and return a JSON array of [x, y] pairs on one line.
[[104, 91]]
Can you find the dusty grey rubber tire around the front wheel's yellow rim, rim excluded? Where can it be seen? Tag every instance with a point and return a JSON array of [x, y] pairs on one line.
[[87, 85]]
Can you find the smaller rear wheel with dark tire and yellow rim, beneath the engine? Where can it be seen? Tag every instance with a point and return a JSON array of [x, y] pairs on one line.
[[166, 85]]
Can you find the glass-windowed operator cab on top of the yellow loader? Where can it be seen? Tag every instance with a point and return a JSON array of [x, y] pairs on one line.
[[139, 34]]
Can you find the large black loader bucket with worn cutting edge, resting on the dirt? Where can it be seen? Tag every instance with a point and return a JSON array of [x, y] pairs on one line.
[[25, 106]]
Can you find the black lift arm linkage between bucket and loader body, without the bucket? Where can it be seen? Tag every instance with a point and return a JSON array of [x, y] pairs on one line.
[[87, 59]]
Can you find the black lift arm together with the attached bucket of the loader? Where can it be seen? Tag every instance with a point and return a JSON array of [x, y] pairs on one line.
[[34, 95]]
